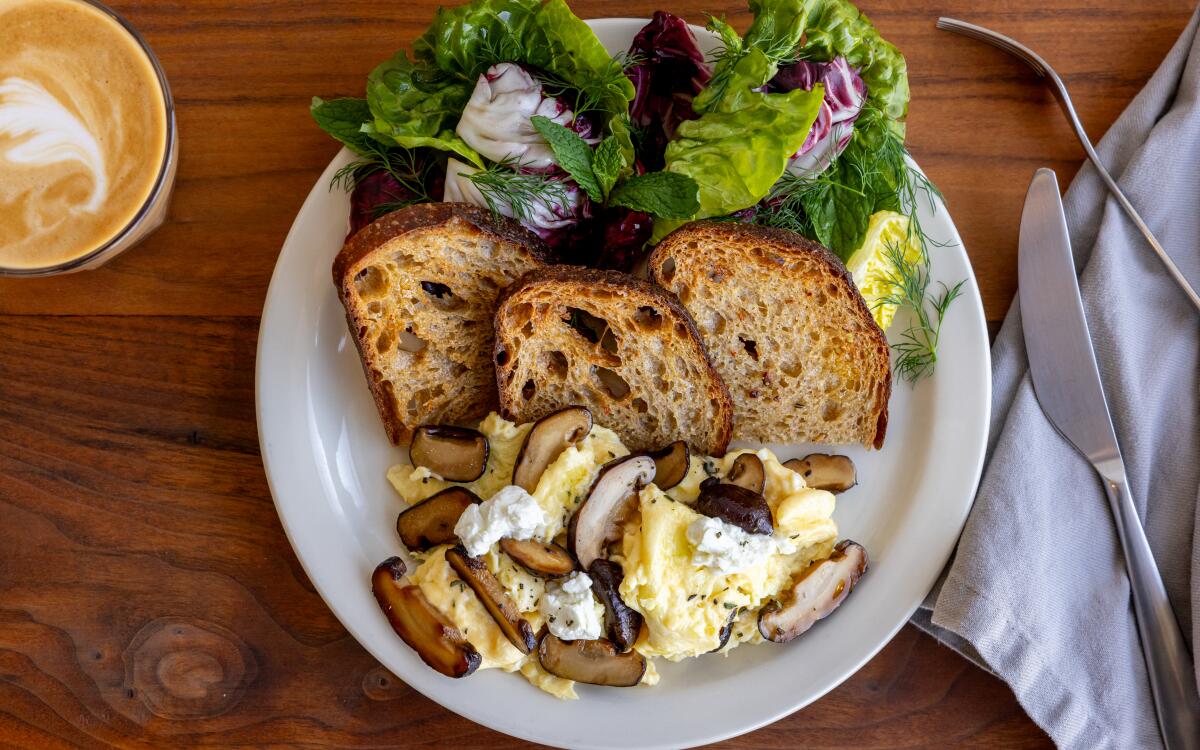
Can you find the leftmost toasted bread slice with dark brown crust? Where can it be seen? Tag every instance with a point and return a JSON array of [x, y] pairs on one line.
[[419, 287]]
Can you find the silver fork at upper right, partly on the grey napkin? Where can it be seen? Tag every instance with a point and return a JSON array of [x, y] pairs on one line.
[[1060, 92]]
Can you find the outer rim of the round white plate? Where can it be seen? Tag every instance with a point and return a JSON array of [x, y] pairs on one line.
[[737, 728]]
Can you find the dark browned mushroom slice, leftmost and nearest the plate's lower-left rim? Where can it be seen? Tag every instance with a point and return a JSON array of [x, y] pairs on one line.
[[421, 625]]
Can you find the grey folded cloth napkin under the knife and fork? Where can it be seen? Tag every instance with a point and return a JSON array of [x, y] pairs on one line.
[[1037, 589]]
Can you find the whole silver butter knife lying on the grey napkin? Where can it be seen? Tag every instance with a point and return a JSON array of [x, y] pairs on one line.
[[1067, 383]]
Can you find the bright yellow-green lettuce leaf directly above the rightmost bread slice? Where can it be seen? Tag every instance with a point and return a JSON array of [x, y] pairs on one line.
[[737, 151]]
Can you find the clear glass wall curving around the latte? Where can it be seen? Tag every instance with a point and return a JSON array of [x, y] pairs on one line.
[[154, 208]]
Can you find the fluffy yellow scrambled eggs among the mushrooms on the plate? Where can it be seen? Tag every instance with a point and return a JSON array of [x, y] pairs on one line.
[[686, 607]]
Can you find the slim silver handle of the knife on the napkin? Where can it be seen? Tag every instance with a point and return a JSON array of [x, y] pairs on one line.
[[1172, 676]]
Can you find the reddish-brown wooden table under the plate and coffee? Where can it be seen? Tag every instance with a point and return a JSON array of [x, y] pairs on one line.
[[148, 596]]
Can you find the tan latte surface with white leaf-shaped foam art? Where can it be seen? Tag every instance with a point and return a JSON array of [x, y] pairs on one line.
[[83, 131]]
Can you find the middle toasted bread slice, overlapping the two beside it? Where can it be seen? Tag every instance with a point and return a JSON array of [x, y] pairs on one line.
[[617, 345]]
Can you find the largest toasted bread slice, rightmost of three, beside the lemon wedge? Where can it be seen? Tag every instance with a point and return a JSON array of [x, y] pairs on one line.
[[788, 331]]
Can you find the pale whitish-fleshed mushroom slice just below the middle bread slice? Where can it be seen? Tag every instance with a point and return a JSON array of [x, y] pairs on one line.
[[614, 497]]
